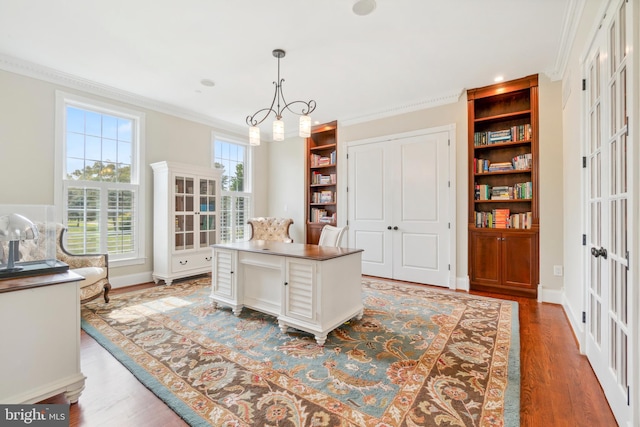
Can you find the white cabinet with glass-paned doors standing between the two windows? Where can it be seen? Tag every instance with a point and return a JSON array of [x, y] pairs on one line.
[[185, 219]]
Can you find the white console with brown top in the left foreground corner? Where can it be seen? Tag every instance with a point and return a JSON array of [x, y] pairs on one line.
[[40, 333]]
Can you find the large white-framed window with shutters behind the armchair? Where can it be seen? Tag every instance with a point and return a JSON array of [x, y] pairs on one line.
[[98, 166]]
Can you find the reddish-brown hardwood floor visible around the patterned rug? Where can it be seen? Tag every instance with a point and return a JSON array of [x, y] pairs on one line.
[[558, 386]]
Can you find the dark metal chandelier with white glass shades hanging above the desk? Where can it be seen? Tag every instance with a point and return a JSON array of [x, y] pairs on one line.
[[280, 106]]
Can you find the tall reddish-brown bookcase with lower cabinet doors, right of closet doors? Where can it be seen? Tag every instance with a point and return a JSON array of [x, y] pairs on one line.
[[503, 126]]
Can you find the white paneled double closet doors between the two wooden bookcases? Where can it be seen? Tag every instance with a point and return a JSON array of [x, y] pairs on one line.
[[399, 206]]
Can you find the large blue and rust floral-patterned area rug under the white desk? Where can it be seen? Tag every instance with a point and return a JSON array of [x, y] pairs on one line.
[[418, 357]]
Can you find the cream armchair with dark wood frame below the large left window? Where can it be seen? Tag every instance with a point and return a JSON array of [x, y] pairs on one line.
[[93, 267]]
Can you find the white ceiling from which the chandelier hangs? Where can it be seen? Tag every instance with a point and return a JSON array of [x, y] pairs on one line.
[[405, 55]]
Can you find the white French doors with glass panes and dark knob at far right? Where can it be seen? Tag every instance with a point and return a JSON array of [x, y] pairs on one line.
[[610, 331]]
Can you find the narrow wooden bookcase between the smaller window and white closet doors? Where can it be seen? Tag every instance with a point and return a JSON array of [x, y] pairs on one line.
[[321, 179]]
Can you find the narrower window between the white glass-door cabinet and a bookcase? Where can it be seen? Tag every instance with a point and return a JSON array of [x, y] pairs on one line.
[[233, 159]]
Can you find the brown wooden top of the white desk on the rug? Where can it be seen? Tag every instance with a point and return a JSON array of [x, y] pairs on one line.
[[295, 250]]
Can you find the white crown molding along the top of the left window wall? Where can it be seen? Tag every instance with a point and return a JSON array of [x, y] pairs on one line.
[[29, 69]]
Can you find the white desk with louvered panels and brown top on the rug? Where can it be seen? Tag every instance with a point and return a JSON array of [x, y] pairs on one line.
[[307, 287]]
